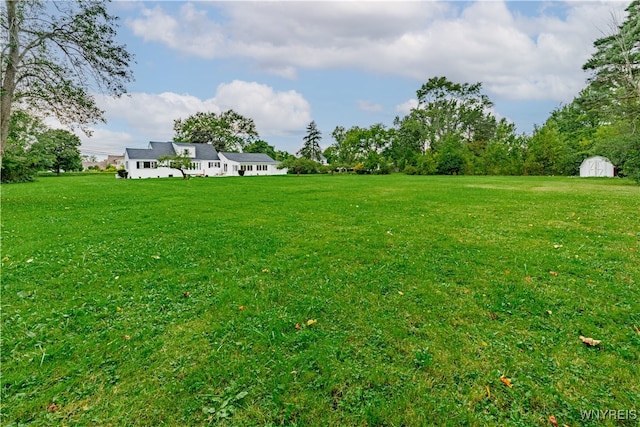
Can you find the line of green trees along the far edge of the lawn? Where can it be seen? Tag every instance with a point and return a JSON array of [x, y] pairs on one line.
[[451, 130]]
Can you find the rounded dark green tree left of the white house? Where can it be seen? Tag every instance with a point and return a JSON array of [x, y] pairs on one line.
[[58, 149]]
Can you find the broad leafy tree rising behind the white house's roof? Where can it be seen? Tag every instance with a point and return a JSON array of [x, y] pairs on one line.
[[227, 131]]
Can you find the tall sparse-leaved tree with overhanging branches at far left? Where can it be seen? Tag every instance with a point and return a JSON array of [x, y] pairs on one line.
[[54, 54]]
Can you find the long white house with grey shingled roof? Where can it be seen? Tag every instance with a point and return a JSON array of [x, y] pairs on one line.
[[206, 161]]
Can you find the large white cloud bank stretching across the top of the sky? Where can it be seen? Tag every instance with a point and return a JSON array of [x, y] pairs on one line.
[[515, 56]]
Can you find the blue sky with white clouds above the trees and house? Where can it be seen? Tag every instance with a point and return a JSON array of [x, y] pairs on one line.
[[341, 63]]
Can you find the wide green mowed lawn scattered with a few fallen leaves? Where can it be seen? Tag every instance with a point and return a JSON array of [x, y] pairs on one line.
[[321, 300]]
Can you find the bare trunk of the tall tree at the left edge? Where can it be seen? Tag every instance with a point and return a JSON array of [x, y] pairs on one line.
[[9, 78]]
